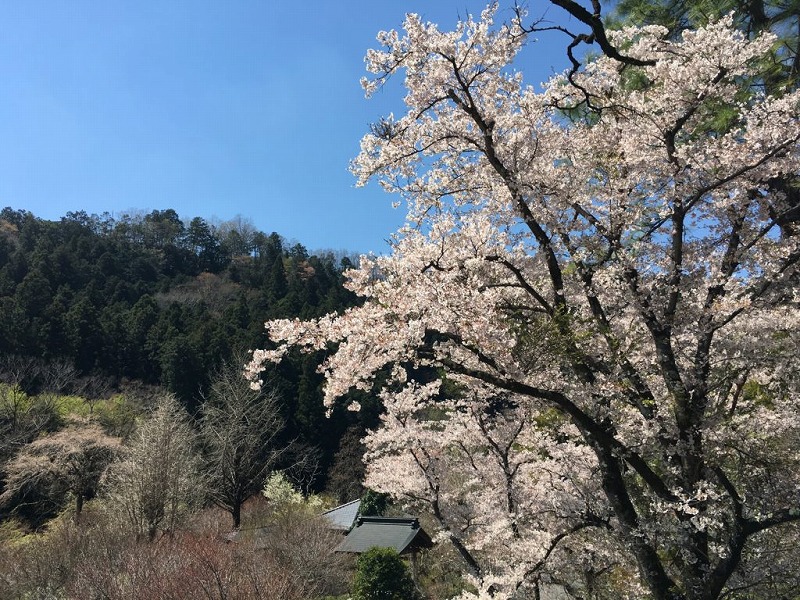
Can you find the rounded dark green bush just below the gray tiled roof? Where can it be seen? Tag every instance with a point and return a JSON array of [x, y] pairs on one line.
[[382, 575]]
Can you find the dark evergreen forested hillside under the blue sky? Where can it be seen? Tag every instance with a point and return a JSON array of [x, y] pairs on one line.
[[162, 300]]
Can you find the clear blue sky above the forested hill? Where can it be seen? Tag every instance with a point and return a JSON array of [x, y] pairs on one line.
[[212, 108]]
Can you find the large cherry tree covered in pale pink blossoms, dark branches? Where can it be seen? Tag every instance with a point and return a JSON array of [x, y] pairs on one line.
[[597, 274]]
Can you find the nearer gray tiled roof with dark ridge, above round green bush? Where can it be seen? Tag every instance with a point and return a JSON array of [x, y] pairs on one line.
[[402, 534]]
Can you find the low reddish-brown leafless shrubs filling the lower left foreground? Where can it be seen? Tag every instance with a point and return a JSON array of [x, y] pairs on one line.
[[98, 558]]
